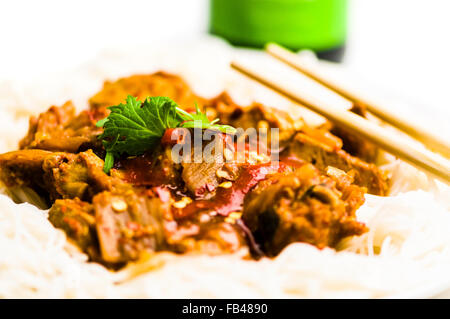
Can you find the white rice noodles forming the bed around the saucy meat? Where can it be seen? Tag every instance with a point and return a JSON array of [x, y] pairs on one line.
[[405, 253]]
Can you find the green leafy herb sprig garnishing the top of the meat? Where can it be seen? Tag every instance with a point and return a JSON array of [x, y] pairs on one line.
[[135, 127]]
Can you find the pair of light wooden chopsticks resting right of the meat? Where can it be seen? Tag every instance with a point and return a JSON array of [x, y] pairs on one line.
[[393, 143]]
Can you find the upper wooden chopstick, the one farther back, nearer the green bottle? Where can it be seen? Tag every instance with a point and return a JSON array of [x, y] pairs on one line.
[[430, 140]]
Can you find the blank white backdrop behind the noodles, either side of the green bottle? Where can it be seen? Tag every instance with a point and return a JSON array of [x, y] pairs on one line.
[[402, 46]]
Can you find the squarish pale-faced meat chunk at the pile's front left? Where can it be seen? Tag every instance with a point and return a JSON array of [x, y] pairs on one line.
[[128, 224]]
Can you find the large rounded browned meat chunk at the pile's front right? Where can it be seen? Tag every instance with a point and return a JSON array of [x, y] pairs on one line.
[[303, 206]]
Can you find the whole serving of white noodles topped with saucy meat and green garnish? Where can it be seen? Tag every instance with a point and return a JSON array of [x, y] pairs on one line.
[[136, 176]]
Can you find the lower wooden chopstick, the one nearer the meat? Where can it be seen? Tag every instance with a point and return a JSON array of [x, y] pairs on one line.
[[395, 144]]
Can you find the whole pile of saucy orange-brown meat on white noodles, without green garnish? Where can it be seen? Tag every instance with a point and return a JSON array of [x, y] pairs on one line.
[[150, 203]]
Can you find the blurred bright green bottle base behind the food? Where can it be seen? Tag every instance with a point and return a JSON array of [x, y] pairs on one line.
[[319, 25]]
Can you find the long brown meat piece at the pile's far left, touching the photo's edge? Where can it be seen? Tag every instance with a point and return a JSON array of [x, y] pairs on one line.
[[57, 174]]
